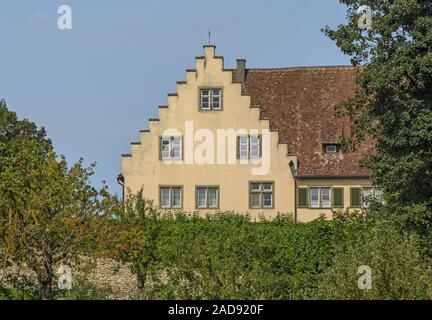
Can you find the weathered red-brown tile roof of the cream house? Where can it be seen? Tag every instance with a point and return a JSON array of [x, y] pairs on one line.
[[300, 103]]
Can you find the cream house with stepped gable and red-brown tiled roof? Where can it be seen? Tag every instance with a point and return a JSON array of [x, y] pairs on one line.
[[260, 141]]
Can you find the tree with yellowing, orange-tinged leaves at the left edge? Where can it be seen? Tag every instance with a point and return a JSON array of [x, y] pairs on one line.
[[47, 210]]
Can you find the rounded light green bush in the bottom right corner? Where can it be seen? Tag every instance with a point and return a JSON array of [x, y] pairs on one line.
[[397, 268]]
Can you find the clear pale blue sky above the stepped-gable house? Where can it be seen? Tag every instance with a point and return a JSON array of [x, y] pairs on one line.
[[95, 86]]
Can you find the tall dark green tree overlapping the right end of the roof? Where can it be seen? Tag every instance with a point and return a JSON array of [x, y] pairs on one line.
[[393, 100]]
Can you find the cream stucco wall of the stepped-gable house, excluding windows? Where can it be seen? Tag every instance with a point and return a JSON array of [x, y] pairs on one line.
[[143, 168]]
